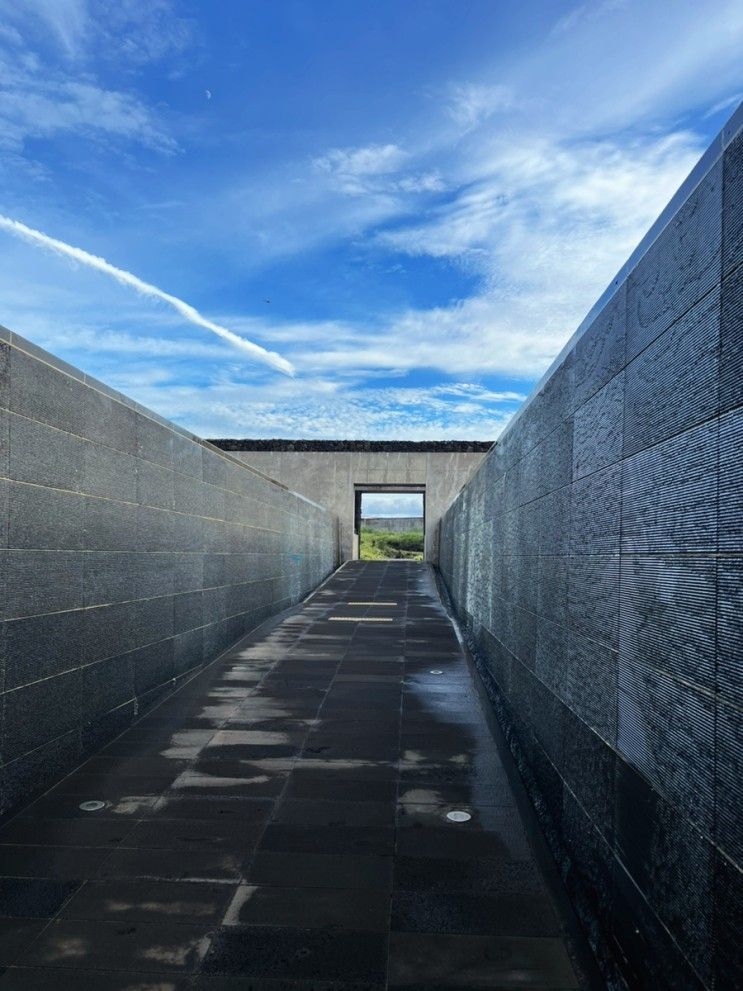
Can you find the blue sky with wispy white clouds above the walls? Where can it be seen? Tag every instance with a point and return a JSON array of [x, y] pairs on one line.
[[413, 202]]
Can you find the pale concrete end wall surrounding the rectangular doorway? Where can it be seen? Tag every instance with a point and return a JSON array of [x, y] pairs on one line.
[[329, 477]]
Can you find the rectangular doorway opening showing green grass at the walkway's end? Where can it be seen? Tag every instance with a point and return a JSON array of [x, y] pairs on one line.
[[389, 522]]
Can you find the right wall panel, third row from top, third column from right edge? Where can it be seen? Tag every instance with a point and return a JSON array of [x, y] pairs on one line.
[[595, 513]]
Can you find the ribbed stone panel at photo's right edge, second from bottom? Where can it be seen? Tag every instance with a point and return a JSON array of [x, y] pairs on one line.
[[729, 757]]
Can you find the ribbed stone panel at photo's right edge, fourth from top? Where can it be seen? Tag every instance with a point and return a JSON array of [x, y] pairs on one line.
[[730, 629]]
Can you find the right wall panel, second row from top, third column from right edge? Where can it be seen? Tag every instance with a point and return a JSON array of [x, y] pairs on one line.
[[597, 430]]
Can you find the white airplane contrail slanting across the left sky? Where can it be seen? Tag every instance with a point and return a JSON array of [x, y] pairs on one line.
[[145, 289]]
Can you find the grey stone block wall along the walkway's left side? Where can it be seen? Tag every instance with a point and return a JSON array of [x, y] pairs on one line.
[[130, 554]]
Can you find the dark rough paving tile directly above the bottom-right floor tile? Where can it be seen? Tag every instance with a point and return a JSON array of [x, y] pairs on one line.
[[501, 914]]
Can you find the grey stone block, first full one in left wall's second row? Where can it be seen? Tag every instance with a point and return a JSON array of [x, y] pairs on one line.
[[45, 456]]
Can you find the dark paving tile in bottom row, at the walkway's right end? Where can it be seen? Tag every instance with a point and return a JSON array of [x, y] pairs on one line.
[[419, 962]]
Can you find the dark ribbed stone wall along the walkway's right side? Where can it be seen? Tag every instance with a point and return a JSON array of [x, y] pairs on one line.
[[596, 559]]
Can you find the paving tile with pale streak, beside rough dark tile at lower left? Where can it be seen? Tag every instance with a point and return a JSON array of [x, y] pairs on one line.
[[149, 901]]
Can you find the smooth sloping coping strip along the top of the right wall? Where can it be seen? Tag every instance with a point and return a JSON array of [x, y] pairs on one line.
[[708, 160]]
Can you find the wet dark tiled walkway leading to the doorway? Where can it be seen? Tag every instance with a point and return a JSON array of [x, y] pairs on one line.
[[282, 823]]
